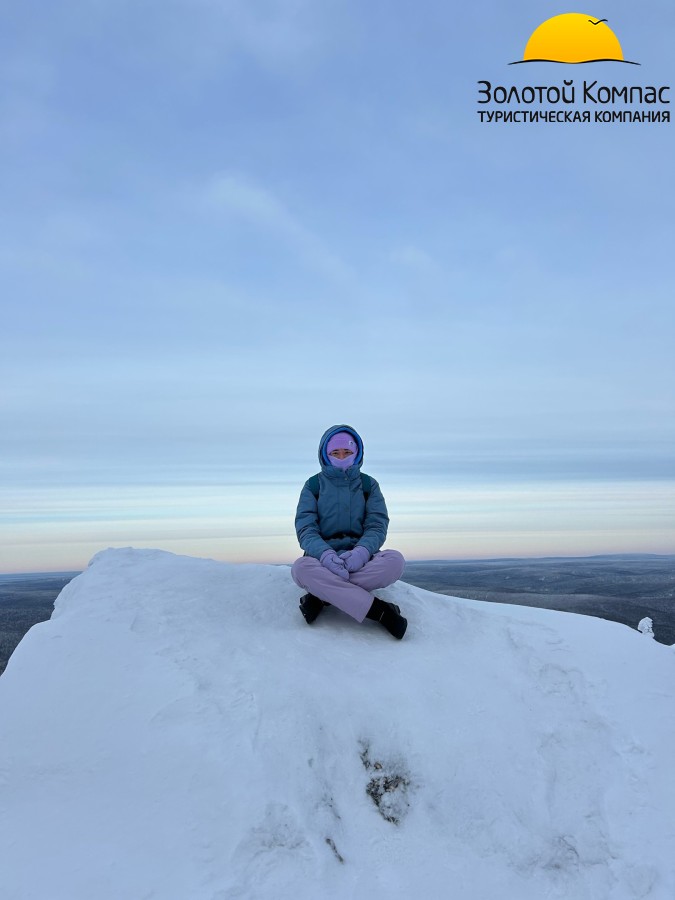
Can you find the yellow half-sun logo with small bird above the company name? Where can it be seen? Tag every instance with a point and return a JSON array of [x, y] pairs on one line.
[[573, 38]]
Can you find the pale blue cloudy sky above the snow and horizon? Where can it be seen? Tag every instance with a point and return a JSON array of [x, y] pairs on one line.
[[227, 226]]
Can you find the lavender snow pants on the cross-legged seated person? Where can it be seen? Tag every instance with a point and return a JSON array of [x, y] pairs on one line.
[[350, 596]]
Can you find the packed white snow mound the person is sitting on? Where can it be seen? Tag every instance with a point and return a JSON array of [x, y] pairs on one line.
[[176, 731]]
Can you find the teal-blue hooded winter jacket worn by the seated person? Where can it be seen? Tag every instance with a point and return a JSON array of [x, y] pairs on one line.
[[341, 518]]
